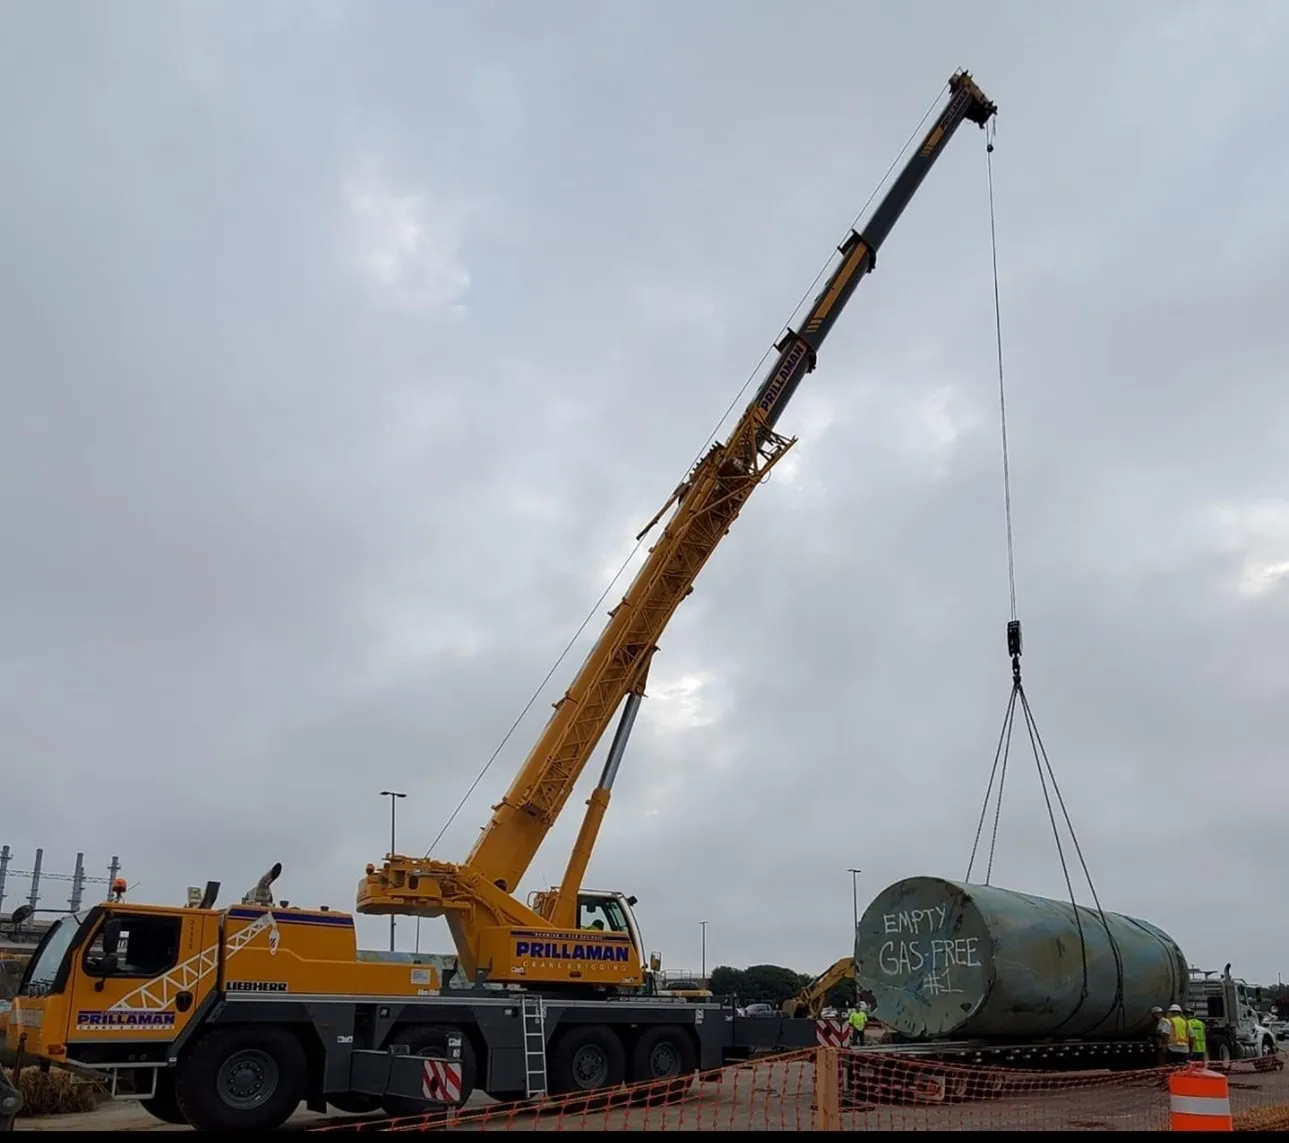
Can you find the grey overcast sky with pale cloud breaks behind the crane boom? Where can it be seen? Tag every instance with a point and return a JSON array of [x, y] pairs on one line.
[[346, 347]]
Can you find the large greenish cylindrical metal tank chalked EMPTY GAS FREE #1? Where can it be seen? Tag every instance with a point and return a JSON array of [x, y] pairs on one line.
[[958, 962]]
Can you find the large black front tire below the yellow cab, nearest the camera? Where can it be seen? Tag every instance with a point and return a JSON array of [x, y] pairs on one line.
[[242, 1079]]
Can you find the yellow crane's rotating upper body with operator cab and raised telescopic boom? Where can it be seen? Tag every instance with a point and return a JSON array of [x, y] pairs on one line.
[[550, 941]]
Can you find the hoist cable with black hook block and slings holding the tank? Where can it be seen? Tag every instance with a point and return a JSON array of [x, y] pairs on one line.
[[1043, 765]]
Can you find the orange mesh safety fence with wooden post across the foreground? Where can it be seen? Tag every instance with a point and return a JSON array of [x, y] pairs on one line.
[[859, 1091]]
